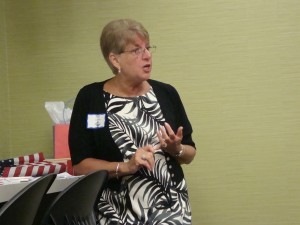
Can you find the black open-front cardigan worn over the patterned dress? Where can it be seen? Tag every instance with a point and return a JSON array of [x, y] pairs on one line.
[[98, 143]]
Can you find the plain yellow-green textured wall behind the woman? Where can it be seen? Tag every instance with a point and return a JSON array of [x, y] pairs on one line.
[[234, 62]]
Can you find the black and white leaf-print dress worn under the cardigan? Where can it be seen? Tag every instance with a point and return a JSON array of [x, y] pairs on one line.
[[146, 197]]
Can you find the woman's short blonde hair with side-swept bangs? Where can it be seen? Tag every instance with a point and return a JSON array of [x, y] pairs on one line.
[[117, 34]]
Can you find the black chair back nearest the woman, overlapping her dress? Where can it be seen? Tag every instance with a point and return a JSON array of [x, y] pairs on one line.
[[76, 204]]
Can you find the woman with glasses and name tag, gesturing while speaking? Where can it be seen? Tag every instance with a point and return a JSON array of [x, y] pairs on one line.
[[136, 129]]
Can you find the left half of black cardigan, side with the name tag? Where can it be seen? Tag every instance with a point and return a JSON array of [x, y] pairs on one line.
[[86, 142]]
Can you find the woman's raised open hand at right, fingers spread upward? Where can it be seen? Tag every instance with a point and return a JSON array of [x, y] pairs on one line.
[[170, 141]]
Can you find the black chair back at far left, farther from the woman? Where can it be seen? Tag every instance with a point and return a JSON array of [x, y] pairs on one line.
[[21, 208]]
